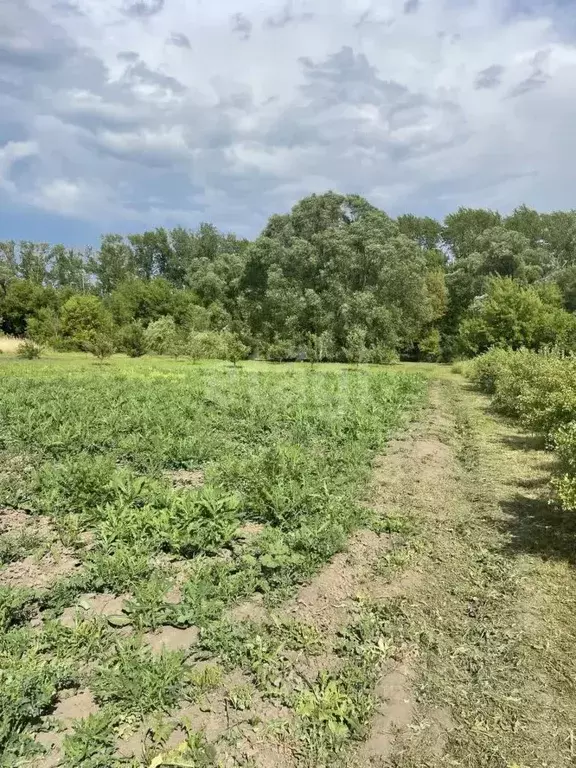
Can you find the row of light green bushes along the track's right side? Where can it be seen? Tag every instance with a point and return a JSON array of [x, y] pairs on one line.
[[540, 390]]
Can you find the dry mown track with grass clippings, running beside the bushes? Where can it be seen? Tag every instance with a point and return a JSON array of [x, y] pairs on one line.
[[485, 674]]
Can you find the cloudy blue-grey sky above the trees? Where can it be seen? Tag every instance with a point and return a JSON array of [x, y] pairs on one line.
[[123, 115]]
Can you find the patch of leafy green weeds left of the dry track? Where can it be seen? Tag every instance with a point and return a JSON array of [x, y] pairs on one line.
[[186, 489]]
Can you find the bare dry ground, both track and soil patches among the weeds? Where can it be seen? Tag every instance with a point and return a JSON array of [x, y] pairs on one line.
[[442, 636]]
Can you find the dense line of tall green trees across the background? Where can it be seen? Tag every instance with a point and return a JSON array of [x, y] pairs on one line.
[[334, 279]]
